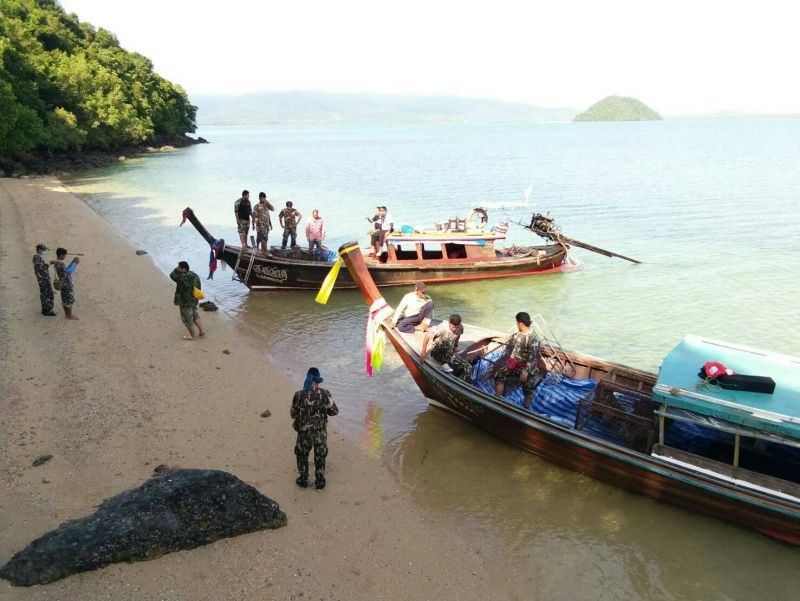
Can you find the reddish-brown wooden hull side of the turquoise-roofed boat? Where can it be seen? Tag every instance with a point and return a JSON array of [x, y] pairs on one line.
[[643, 474]]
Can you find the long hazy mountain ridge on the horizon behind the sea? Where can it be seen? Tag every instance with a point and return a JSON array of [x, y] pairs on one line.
[[313, 107]]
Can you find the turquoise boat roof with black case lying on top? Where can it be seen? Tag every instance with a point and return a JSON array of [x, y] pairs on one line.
[[679, 385]]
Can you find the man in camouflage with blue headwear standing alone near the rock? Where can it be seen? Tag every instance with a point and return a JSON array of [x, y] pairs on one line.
[[310, 410]]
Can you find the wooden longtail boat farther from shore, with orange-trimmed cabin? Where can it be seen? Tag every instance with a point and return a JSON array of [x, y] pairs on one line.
[[456, 255]]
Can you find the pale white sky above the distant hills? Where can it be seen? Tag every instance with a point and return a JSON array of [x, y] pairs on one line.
[[680, 57]]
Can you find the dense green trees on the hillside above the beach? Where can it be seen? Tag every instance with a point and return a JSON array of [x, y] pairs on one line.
[[65, 86]]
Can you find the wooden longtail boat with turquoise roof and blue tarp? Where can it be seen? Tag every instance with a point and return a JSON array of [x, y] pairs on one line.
[[730, 454]]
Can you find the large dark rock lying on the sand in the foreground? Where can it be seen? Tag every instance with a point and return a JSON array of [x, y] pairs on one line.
[[179, 510]]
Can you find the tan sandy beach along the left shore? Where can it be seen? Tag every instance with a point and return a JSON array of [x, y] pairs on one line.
[[118, 392]]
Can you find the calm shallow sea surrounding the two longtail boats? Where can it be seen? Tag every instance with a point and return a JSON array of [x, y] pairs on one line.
[[709, 207]]
